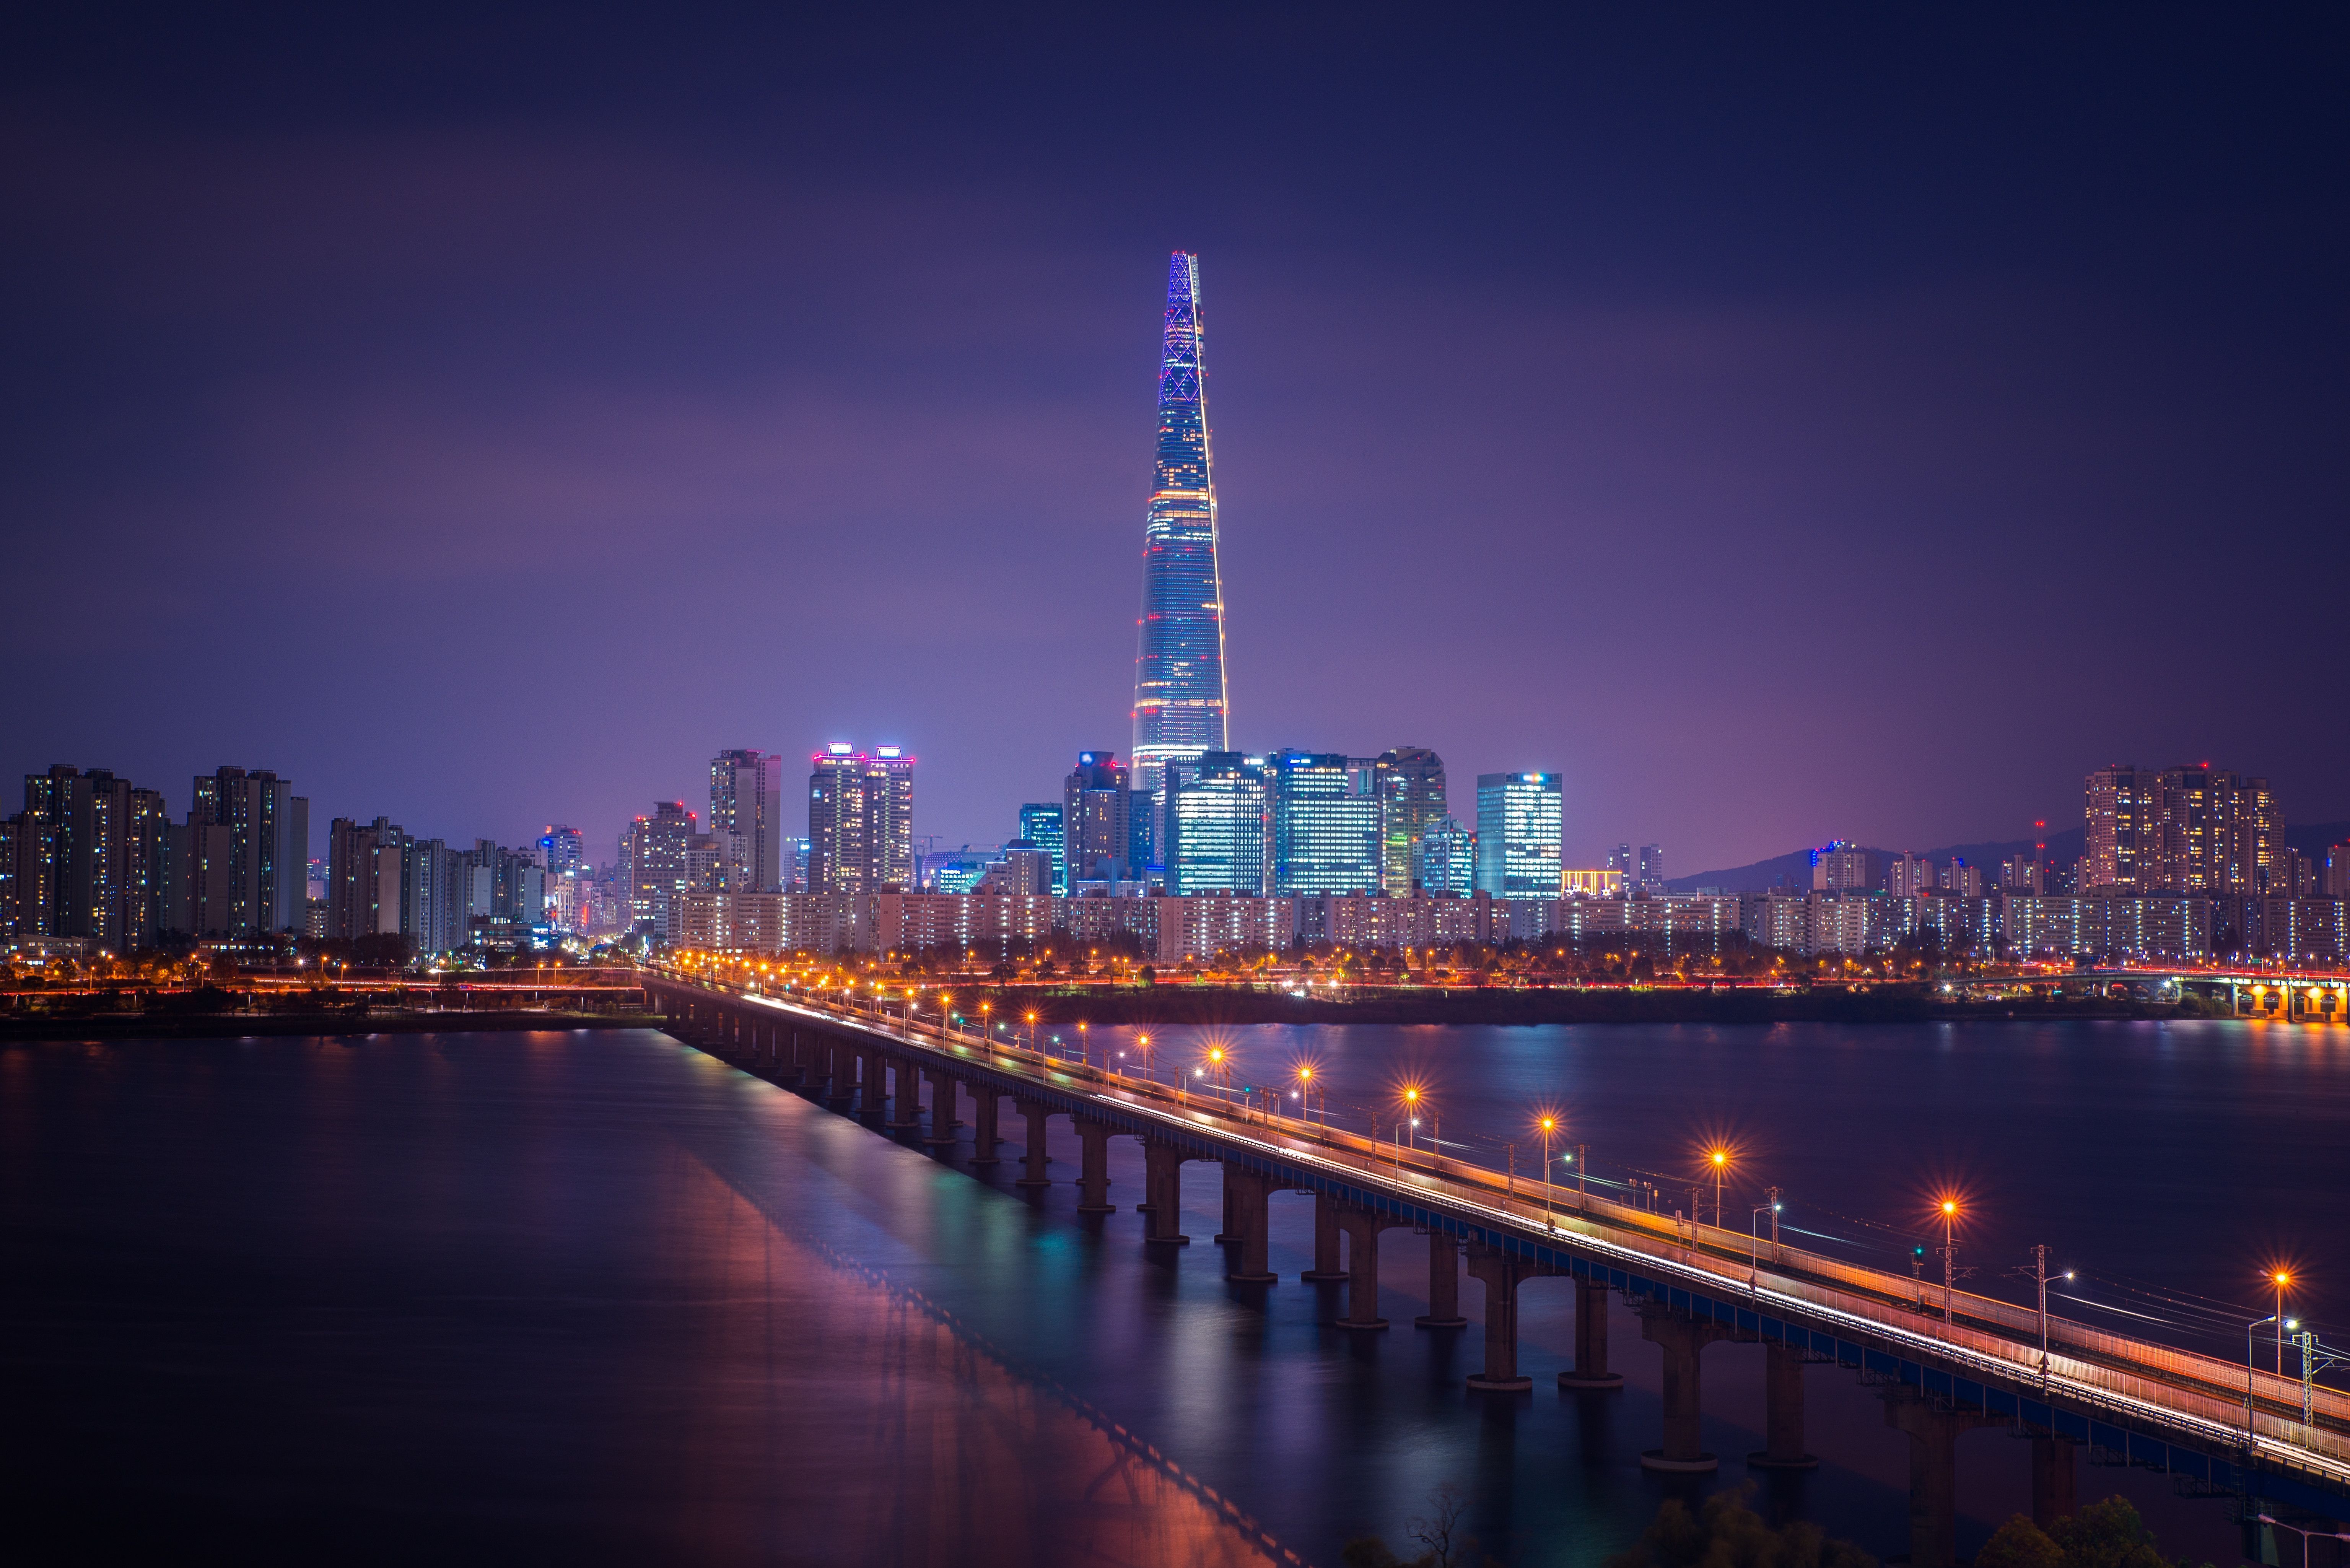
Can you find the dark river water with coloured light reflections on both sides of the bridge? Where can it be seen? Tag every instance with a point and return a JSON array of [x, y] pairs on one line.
[[605, 1299]]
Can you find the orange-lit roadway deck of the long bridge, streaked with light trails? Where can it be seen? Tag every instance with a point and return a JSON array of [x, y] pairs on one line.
[[2006, 1334]]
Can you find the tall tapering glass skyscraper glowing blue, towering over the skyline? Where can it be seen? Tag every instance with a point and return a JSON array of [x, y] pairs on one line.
[[1181, 655]]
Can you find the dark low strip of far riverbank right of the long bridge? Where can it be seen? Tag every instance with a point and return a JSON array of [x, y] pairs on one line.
[[1538, 1005]]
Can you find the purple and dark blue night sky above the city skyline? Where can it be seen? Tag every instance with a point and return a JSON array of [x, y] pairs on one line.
[[1834, 424]]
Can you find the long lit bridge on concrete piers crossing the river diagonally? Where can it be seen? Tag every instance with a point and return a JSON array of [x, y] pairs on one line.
[[1942, 1365]]
